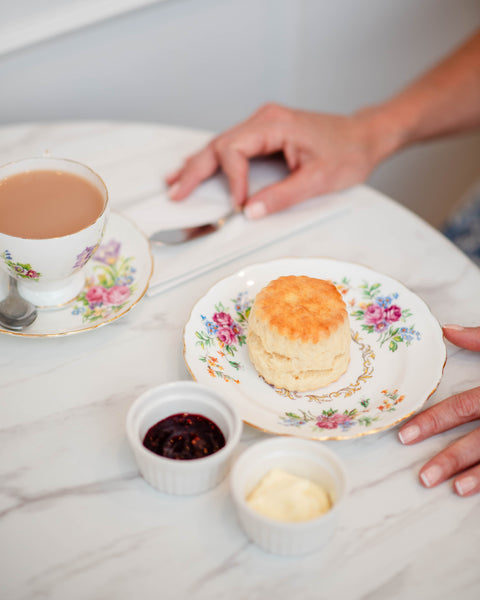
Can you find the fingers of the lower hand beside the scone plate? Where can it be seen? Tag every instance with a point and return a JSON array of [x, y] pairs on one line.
[[462, 458]]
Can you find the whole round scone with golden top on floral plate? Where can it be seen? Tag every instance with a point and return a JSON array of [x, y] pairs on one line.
[[299, 333]]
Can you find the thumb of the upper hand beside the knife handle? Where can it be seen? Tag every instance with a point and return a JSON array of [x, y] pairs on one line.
[[295, 188]]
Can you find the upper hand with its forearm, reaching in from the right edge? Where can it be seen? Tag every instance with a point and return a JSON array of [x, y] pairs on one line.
[[327, 153]]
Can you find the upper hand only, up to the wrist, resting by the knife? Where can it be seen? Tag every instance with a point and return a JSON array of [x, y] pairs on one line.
[[324, 153]]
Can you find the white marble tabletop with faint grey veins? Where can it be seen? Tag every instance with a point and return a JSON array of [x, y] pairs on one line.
[[77, 520]]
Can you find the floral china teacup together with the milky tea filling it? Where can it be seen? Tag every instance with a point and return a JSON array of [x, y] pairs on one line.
[[53, 214]]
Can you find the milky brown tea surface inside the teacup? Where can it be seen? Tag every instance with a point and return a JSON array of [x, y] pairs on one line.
[[41, 204]]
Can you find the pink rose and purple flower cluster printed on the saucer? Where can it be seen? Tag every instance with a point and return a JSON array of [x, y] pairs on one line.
[[111, 289]]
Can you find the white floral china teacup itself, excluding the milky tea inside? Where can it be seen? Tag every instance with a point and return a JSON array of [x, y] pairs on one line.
[[50, 271]]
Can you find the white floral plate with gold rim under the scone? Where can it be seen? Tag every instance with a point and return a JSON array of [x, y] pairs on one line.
[[397, 353]]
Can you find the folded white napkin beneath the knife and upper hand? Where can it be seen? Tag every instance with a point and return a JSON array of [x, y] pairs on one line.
[[174, 265]]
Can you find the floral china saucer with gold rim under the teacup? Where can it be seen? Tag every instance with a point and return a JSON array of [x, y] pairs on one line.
[[117, 277]]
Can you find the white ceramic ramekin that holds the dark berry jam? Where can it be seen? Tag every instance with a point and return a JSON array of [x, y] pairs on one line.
[[182, 477]]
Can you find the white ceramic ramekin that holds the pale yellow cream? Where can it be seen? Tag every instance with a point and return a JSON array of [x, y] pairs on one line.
[[304, 458]]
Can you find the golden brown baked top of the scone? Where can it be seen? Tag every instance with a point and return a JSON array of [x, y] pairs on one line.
[[301, 307]]
